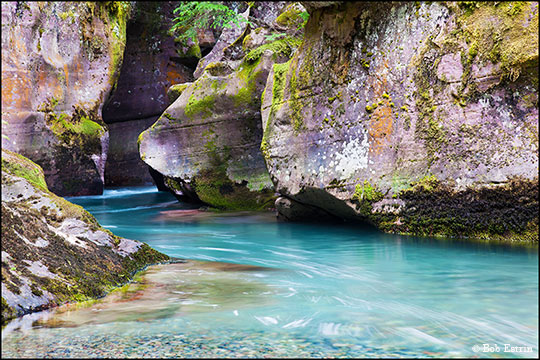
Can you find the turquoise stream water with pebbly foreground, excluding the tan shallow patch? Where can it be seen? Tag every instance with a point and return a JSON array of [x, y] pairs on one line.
[[335, 290]]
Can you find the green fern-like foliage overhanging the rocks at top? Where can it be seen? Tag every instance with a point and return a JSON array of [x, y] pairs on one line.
[[194, 15]]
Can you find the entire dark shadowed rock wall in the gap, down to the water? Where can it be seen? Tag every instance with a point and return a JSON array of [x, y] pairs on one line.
[[151, 65]]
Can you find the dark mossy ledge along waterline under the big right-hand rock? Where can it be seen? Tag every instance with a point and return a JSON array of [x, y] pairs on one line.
[[506, 212]]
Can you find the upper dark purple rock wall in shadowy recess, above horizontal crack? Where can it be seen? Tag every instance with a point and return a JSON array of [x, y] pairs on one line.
[[150, 65]]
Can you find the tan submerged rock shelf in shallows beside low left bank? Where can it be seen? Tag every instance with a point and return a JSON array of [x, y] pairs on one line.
[[189, 287]]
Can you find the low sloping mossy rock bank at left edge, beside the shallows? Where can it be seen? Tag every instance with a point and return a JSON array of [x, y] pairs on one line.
[[54, 251]]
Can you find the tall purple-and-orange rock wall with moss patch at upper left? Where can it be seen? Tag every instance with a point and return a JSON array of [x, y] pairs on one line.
[[59, 63]]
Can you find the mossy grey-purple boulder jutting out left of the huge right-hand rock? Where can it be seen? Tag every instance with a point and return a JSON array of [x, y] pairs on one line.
[[206, 143]]
